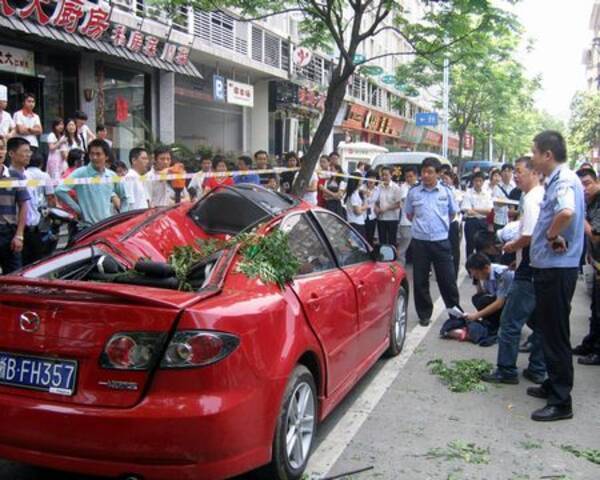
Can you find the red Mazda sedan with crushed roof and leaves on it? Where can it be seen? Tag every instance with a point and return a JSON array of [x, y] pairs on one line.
[[134, 377]]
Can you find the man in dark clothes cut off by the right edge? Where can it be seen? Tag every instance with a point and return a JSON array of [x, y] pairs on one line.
[[590, 346]]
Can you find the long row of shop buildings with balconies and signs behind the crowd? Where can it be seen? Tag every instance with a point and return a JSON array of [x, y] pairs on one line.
[[202, 79]]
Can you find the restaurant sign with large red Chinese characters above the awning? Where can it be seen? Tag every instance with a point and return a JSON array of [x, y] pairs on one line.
[[92, 20]]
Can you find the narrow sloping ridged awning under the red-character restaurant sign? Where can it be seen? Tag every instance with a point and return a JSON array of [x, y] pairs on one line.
[[79, 41]]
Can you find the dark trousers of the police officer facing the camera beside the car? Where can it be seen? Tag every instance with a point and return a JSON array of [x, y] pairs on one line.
[[440, 255]]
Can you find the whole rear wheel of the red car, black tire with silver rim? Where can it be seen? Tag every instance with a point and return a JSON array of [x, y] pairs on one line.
[[298, 409]]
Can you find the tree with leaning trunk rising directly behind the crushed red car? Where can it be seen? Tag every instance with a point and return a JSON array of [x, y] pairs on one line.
[[342, 26]]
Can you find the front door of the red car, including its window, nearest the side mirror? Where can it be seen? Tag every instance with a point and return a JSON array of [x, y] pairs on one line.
[[374, 282]]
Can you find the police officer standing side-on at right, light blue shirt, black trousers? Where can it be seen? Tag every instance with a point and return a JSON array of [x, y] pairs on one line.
[[556, 247]]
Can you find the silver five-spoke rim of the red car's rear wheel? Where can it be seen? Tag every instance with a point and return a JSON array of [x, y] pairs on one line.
[[300, 425]]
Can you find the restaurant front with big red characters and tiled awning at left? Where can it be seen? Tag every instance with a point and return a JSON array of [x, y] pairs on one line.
[[112, 61]]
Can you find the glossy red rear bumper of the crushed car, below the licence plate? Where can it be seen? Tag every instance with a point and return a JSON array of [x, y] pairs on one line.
[[195, 437]]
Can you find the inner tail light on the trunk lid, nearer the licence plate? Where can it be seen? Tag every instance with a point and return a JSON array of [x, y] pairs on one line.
[[132, 350]]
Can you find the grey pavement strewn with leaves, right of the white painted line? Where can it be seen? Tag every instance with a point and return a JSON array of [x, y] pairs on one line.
[[418, 413]]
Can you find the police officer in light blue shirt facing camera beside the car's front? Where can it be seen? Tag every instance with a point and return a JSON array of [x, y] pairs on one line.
[[431, 206]]
